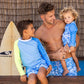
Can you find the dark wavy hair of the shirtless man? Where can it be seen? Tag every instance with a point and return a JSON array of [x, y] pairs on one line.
[[45, 7]]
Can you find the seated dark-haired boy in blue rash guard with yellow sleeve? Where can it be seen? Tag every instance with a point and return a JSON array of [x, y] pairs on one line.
[[30, 51]]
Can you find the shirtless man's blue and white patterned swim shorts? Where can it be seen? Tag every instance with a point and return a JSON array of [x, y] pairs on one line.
[[57, 69]]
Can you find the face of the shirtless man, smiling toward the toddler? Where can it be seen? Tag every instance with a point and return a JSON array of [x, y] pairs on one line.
[[50, 18]]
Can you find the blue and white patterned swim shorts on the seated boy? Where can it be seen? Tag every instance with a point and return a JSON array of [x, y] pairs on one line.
[[36, 68]]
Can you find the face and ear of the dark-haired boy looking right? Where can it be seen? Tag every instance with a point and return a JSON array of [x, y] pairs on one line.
[[29, 32]]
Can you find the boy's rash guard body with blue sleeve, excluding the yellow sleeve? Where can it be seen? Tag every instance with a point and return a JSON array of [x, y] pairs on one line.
[[31, 52]]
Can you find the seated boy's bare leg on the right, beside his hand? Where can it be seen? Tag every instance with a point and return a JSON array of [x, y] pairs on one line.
[[42, 75]]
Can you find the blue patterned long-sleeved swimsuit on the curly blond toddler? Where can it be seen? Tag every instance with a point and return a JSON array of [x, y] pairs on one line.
[[69, 35]]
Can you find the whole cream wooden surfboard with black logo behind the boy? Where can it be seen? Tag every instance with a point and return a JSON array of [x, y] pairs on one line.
[[7, 64]]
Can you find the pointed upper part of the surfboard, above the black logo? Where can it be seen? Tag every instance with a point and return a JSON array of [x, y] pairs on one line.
[[11, 34]]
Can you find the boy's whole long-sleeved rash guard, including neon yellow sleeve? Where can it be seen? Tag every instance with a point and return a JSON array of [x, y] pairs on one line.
[[30, 52]]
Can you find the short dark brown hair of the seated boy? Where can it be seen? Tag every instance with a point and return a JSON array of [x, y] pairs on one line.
[[22, 25]]
